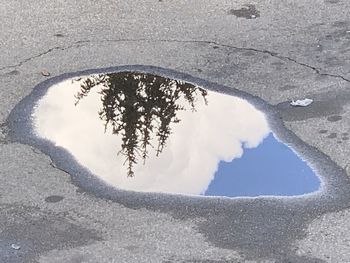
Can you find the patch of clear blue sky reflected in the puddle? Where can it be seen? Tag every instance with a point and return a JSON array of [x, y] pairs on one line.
[[272, 168]]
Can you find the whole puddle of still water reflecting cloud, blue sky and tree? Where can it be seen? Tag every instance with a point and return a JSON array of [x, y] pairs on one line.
[[148, 133]]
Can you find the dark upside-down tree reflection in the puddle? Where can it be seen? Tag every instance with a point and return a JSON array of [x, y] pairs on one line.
[[137, 106]]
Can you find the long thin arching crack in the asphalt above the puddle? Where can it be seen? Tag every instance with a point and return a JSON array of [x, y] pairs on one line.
[[271, 53]]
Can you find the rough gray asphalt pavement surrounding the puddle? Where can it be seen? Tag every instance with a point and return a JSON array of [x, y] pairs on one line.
[[273, 50]]
